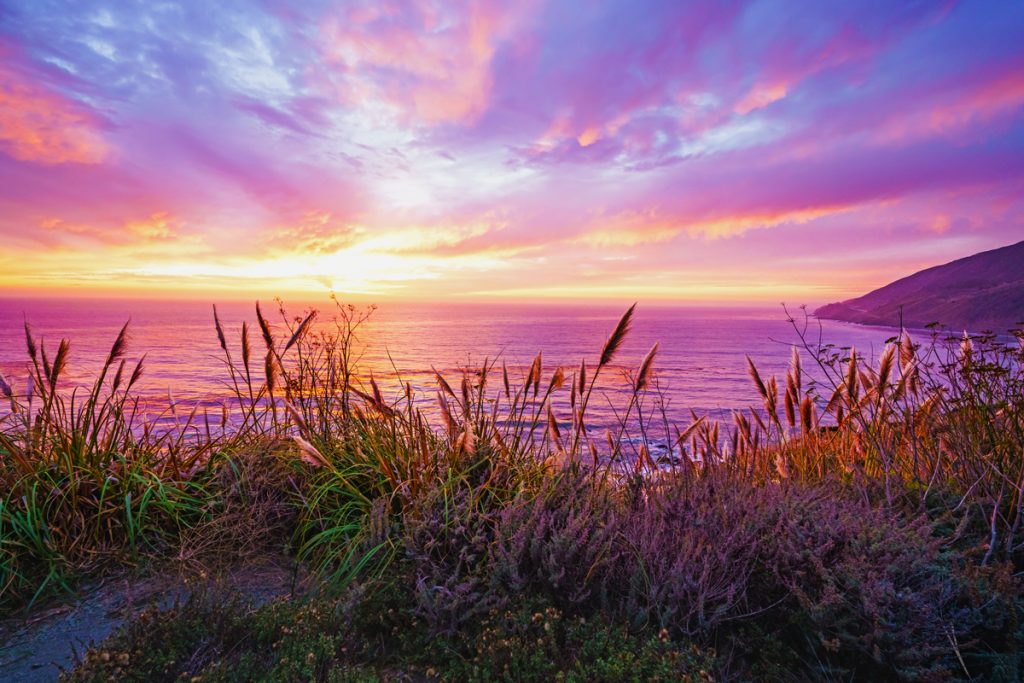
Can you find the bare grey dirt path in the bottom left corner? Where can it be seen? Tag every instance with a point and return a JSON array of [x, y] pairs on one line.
[[35, 648]]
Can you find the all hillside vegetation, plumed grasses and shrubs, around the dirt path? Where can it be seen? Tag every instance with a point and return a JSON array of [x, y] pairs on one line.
[[866, 525]]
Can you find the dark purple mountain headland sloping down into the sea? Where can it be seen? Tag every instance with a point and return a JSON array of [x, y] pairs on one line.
[[980, 292]]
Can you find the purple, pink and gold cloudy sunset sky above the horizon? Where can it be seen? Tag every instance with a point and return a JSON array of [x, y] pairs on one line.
[[694, 152]]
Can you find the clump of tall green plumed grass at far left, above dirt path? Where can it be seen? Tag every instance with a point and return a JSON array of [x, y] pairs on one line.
[[81, 480]]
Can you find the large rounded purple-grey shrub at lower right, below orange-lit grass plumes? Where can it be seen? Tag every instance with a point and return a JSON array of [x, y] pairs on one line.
[[846, 588]]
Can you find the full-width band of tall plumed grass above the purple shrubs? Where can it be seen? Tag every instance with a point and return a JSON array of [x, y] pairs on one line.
[[323, 460]]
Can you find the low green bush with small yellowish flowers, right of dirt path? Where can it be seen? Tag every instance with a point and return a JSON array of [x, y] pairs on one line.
[[368, 636]]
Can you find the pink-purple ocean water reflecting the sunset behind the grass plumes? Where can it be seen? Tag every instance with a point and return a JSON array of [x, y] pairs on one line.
[[701, 365]]
